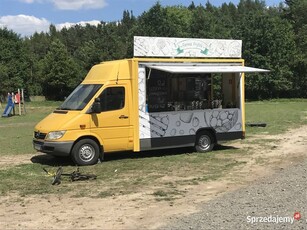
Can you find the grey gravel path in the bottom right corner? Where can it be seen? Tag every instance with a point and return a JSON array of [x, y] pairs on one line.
[[275, 198]]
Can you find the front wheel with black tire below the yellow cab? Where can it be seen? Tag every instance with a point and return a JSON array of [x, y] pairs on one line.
[[85, 152]]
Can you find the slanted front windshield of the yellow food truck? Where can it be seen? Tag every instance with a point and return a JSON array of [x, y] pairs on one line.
[[79, 98]]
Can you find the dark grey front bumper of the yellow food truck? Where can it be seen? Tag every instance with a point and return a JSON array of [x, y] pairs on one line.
[[53, 148]]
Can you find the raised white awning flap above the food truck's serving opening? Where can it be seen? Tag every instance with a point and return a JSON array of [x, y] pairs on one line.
[[206, 69]]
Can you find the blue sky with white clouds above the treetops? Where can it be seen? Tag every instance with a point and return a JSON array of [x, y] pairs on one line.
[[28, 16]]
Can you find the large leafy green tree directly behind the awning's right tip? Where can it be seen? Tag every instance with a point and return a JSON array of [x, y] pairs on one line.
[[268, 42]]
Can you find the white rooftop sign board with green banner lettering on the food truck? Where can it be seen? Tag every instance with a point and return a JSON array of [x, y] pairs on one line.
[[186, 47]]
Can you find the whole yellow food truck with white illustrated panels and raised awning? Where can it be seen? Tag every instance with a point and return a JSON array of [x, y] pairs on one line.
[[163, 98]]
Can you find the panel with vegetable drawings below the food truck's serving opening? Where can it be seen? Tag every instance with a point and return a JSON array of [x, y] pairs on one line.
[[182, 123]]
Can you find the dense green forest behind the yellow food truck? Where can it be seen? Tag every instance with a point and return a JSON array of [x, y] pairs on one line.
[[273, 38]]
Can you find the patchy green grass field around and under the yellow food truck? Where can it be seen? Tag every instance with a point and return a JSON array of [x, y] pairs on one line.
[[124, 173]]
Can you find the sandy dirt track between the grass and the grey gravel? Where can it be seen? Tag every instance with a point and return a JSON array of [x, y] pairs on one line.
[[143, 210]]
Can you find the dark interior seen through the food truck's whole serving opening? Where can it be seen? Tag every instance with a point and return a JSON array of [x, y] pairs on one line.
[[166, 91]]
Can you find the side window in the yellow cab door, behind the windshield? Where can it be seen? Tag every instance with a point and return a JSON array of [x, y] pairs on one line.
[[112, 98]]
